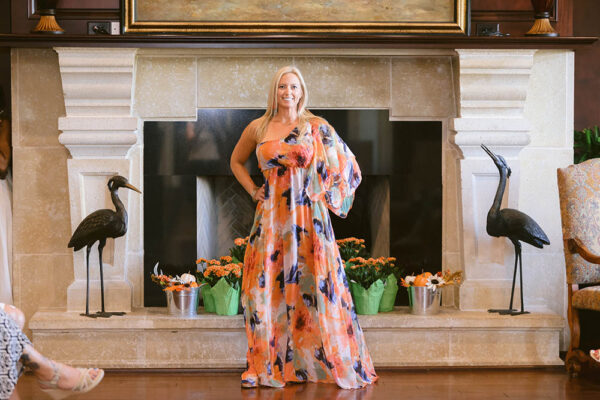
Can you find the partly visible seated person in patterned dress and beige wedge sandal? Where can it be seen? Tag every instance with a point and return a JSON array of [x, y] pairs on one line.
[[16, 352]]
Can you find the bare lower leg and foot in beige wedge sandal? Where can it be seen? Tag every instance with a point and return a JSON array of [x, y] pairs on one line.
[[47, 370]]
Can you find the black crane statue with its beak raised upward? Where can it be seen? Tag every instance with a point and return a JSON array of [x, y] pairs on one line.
[[515, 226]]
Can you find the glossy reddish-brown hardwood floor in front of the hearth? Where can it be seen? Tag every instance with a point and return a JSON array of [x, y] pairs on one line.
[[529, 384]]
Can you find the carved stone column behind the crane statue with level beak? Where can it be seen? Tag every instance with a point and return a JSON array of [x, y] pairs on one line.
[[102, 137]]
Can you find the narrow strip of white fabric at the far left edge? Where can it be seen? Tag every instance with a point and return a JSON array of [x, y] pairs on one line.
[[6, 240]]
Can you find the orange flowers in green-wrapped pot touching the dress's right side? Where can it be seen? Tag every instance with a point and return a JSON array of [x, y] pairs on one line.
[[366, 284]]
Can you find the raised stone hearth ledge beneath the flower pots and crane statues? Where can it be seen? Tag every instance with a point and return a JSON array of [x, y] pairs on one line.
[[148, 338]]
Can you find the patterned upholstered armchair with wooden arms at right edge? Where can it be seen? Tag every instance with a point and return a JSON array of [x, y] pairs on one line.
[[579, 191]]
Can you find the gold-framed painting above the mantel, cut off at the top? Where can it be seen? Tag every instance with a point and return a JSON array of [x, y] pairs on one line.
[[291, 17]]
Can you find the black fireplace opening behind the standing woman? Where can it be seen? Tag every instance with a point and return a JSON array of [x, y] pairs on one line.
[[194, 207]]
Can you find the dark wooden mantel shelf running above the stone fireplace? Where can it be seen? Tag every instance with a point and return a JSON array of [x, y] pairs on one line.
[[295, 41]]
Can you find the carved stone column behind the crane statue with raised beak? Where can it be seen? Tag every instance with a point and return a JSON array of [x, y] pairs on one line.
[[493, 89]]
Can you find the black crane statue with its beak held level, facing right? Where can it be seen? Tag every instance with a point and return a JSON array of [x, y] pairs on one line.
[[97, 227]]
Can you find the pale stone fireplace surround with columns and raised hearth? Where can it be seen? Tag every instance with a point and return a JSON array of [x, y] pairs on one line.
[[517, 102]]
